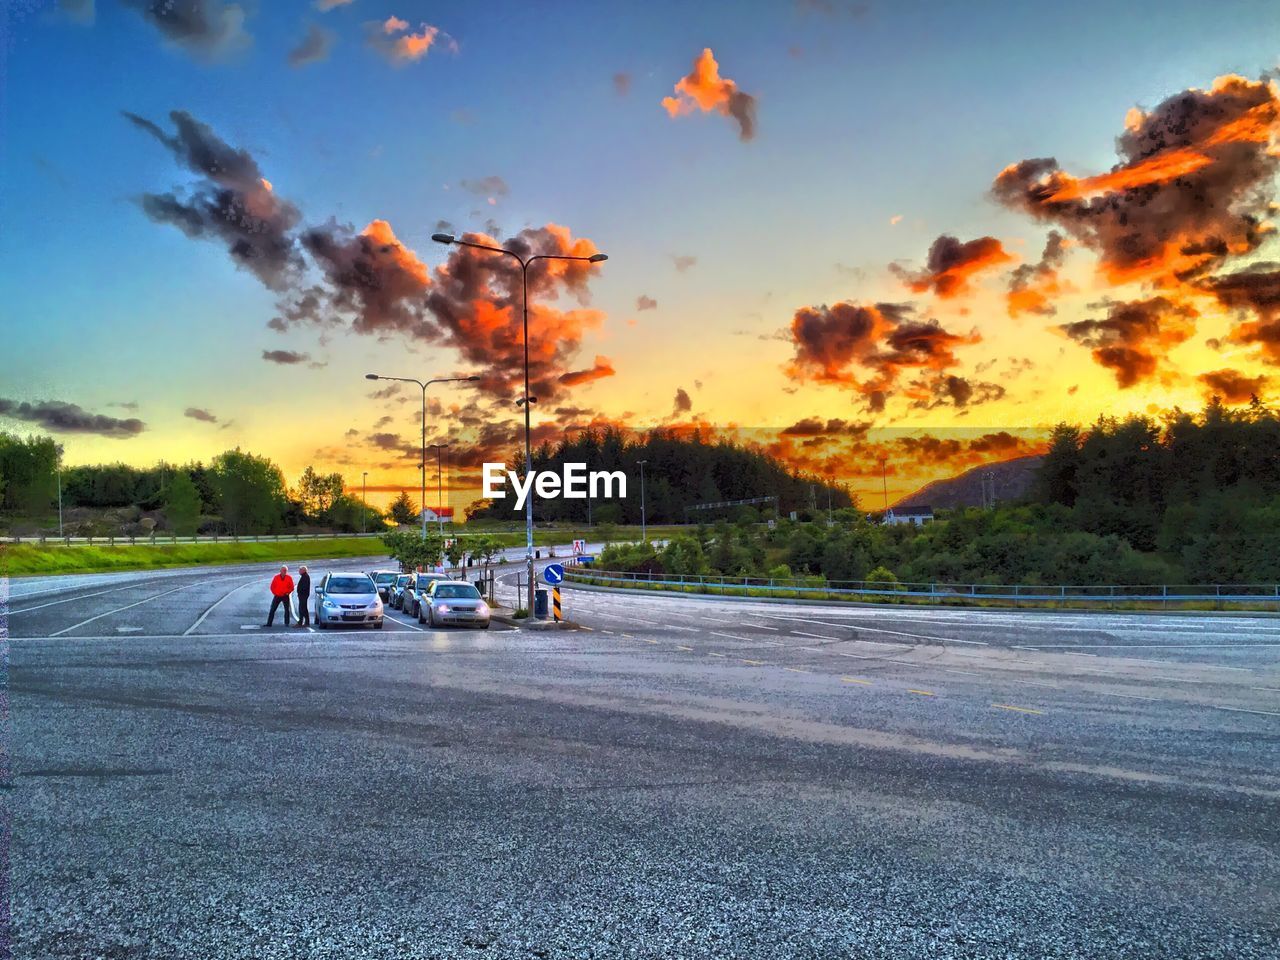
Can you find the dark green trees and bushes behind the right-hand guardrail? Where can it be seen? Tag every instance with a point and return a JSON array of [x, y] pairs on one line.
[[1191, 499]]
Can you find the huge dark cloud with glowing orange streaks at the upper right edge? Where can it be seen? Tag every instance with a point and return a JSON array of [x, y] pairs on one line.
[[1194, 185]]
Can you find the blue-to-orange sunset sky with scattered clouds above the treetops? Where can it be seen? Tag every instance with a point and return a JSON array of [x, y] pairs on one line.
[[852, 232]]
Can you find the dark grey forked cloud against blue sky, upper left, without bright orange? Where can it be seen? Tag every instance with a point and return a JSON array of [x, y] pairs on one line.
[[231, 203]]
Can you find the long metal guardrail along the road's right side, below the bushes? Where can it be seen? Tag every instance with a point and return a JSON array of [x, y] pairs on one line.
[[1217, 596]]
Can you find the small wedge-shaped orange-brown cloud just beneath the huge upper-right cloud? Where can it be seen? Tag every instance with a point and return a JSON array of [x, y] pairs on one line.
[[1135, 337]]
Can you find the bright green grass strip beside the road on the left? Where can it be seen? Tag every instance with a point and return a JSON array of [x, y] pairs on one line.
[[33, 560]]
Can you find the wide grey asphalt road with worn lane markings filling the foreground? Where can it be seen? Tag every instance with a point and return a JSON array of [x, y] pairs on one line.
[[679, 779]]
